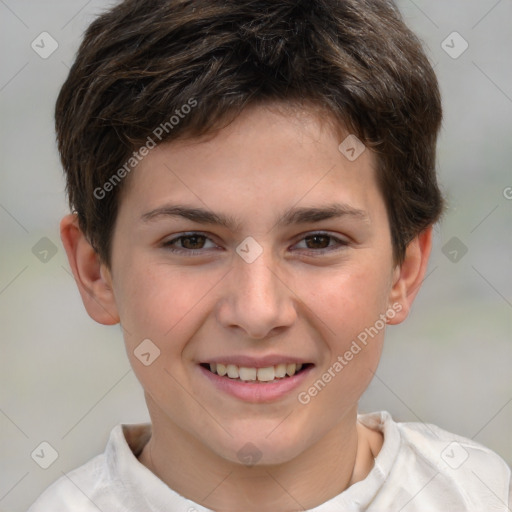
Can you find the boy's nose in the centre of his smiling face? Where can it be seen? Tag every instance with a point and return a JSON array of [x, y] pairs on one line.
[[257, 301]]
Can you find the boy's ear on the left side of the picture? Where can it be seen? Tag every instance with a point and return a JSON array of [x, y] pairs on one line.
[[91, 275]]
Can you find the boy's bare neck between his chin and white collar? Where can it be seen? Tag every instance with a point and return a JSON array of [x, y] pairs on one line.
[[339, 459]]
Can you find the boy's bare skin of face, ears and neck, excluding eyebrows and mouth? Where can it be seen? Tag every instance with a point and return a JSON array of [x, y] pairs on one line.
[[302, 297]]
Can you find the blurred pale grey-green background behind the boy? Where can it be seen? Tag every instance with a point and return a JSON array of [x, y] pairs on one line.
[[66, 381]]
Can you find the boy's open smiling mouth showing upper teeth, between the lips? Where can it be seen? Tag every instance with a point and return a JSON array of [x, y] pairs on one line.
[[265, 375]]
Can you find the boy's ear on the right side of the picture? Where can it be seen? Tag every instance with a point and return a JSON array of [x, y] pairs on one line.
[[408, 277]]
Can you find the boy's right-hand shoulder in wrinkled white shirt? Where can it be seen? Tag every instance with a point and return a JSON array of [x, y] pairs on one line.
[[422, 467]]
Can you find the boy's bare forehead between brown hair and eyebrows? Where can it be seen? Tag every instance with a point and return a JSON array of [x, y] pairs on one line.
[[265, 157]]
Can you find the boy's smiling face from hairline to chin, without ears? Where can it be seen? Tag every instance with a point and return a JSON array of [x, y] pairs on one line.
[[261, 248]]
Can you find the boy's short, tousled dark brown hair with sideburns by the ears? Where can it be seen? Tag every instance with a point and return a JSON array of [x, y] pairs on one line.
[[143, 60]]
